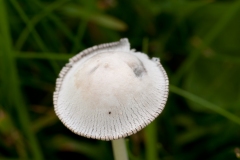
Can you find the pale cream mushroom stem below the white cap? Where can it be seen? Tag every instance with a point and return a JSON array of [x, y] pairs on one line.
[[119, 149]]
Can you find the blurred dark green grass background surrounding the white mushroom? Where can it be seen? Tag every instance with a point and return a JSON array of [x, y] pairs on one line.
[[198, 42]]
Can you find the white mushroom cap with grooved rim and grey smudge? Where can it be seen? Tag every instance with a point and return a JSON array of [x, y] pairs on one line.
[[109, 91]]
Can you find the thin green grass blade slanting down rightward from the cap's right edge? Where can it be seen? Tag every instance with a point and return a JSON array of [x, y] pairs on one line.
[[205, 104]]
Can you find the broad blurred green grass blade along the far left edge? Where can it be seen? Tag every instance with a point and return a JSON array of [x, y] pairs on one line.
[[10, 80]]
